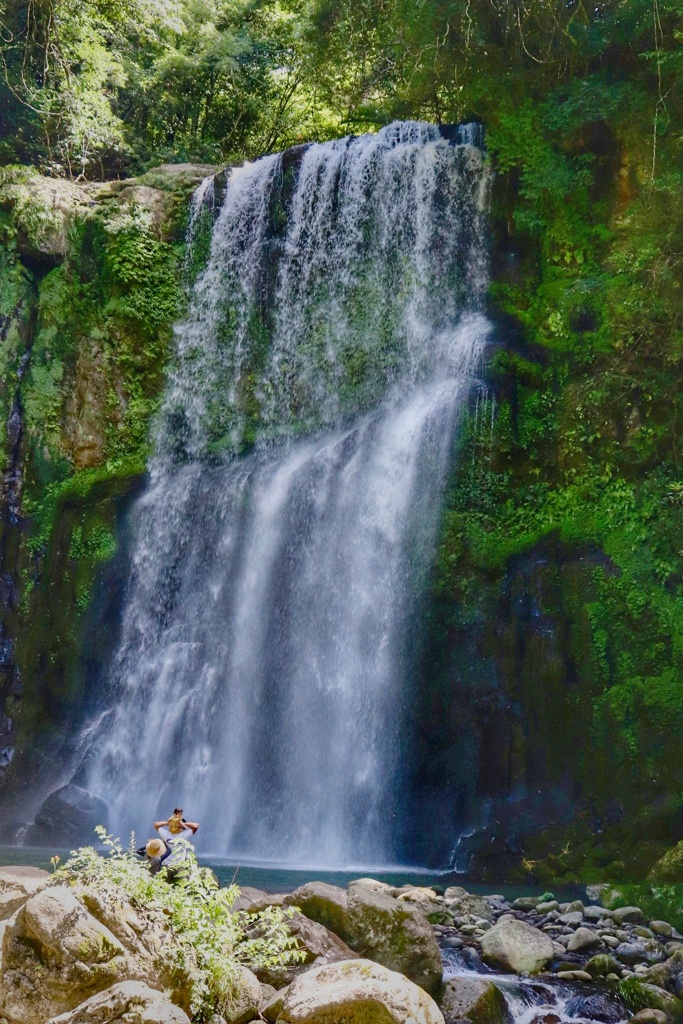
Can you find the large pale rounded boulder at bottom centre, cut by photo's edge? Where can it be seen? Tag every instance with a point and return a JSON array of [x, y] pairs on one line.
[[357, 993]]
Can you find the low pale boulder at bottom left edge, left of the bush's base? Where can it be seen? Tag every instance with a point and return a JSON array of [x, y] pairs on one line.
[[129, 1002]]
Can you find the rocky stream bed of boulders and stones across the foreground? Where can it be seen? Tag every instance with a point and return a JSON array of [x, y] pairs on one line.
[[372, 955]]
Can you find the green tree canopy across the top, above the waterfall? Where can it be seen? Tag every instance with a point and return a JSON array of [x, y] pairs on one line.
[[105, 88]]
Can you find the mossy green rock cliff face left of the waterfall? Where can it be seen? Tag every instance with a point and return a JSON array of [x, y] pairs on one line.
[[92, 281]]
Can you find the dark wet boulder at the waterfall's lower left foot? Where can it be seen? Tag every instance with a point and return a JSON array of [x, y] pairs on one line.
[[69, 817]]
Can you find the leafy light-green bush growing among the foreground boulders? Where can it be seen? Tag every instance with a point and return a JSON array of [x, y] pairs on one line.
[[208, 940]]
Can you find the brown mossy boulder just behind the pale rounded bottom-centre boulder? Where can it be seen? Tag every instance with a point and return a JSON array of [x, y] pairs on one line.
[[395, 934]]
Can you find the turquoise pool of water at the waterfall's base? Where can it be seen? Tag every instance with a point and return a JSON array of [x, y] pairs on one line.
[[279, 880]]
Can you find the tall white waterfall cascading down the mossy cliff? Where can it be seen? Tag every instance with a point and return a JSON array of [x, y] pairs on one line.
[[283, 546]]
